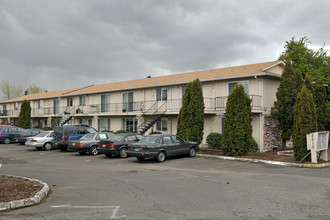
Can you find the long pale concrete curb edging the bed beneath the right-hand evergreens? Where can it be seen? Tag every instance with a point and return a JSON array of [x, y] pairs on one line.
[[278, 163]]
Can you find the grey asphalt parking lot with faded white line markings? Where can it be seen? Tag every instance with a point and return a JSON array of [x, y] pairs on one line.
[[97, 187]]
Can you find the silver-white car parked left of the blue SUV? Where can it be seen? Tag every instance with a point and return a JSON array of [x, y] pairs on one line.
[[41, 141]]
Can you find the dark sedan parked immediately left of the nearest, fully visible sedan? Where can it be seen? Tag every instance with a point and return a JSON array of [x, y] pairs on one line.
[[117, 145]]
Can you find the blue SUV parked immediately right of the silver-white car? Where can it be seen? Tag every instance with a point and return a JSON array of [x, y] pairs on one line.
[[63, 134]]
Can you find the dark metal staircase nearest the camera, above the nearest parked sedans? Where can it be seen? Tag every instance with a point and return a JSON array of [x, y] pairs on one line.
[[153, 118]]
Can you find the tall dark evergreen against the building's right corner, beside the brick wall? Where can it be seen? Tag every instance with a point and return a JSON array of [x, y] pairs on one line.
[[286, 95]]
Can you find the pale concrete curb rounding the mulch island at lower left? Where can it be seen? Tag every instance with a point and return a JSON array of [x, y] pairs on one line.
[[36, 199]]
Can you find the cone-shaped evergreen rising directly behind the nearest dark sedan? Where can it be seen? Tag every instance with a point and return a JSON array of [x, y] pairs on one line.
[[191, 117]]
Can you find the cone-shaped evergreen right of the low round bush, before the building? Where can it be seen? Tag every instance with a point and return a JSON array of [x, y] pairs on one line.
[[237, 136]]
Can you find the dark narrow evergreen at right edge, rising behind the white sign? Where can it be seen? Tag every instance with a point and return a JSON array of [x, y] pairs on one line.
[[322, 111]]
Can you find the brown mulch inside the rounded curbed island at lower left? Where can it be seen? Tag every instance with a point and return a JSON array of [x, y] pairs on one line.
[[13, 188]]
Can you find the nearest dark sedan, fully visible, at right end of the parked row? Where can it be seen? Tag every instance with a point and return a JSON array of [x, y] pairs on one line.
[[160, 146]]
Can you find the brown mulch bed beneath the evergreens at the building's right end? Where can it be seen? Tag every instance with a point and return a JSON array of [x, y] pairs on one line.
[[270, 155]]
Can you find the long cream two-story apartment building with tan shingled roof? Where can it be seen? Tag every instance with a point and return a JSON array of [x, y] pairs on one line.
[[126, 105]]
